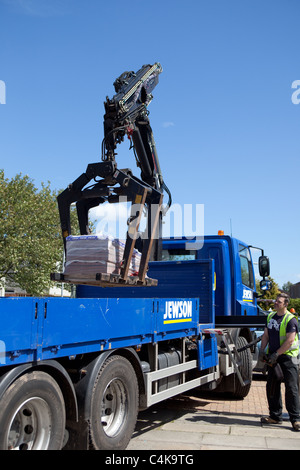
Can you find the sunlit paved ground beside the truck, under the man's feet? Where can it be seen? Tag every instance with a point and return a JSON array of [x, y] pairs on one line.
[[194, 421]]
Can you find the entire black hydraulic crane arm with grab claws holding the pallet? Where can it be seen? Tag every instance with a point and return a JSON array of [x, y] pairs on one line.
[[125, 114]]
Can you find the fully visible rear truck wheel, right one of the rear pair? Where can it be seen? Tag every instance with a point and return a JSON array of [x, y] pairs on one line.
[[114, 405]]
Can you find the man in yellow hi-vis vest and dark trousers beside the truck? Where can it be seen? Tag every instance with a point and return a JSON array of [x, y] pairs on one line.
[[281, 336]]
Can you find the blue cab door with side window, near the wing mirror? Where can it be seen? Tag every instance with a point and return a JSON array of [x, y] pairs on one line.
[[246, 302]]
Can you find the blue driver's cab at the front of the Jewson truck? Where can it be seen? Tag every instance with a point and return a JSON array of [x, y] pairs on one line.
[[235, 297]]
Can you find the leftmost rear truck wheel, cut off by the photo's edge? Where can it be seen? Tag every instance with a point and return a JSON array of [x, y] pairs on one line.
[[32, 414]]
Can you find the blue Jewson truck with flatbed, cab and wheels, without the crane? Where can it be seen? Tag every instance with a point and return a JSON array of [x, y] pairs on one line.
[[74, 372]]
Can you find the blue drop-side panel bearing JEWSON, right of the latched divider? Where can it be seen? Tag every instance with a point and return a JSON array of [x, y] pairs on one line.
[[100, 324]]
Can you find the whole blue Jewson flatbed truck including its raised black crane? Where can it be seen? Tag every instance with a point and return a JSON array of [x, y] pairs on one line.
[[74, 372]]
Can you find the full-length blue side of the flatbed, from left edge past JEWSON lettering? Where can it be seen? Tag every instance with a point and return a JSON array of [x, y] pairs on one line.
[[66, 327]]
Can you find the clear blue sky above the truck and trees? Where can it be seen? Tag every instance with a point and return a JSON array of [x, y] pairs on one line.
[[226, 128]]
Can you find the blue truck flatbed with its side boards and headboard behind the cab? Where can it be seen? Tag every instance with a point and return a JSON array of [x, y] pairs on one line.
[[35, 329]]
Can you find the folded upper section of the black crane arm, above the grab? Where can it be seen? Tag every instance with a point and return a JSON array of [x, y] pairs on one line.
[[126, 113]]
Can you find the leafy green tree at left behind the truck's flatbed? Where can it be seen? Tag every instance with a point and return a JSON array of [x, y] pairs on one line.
[[30, 235]]
